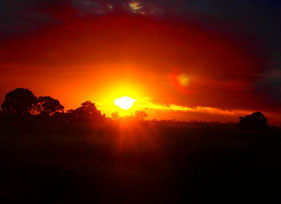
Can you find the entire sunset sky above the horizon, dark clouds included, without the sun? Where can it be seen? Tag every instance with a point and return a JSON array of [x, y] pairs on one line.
[[179, 59]]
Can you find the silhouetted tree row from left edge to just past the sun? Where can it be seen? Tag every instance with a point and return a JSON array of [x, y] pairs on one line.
[[21, 101]]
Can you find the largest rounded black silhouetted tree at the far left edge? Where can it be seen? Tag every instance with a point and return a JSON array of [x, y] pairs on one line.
[[20, 101]]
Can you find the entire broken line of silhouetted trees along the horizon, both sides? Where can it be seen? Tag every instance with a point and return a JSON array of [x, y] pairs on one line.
[[22, 101]]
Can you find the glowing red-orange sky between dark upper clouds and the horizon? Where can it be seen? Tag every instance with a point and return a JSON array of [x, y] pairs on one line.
[[205, 73]]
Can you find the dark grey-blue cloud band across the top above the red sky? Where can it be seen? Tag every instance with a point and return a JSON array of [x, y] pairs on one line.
[[259, 19]]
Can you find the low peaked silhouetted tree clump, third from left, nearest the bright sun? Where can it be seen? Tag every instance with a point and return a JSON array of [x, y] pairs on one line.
[[87, 110]]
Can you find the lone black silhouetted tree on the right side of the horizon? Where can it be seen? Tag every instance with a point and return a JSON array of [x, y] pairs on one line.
[[255, 121]]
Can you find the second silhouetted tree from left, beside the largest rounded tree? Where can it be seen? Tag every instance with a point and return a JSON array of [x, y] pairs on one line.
[[48, 105]]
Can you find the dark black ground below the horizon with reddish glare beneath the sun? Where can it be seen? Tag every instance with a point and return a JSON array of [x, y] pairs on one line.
[[51, 161]]
